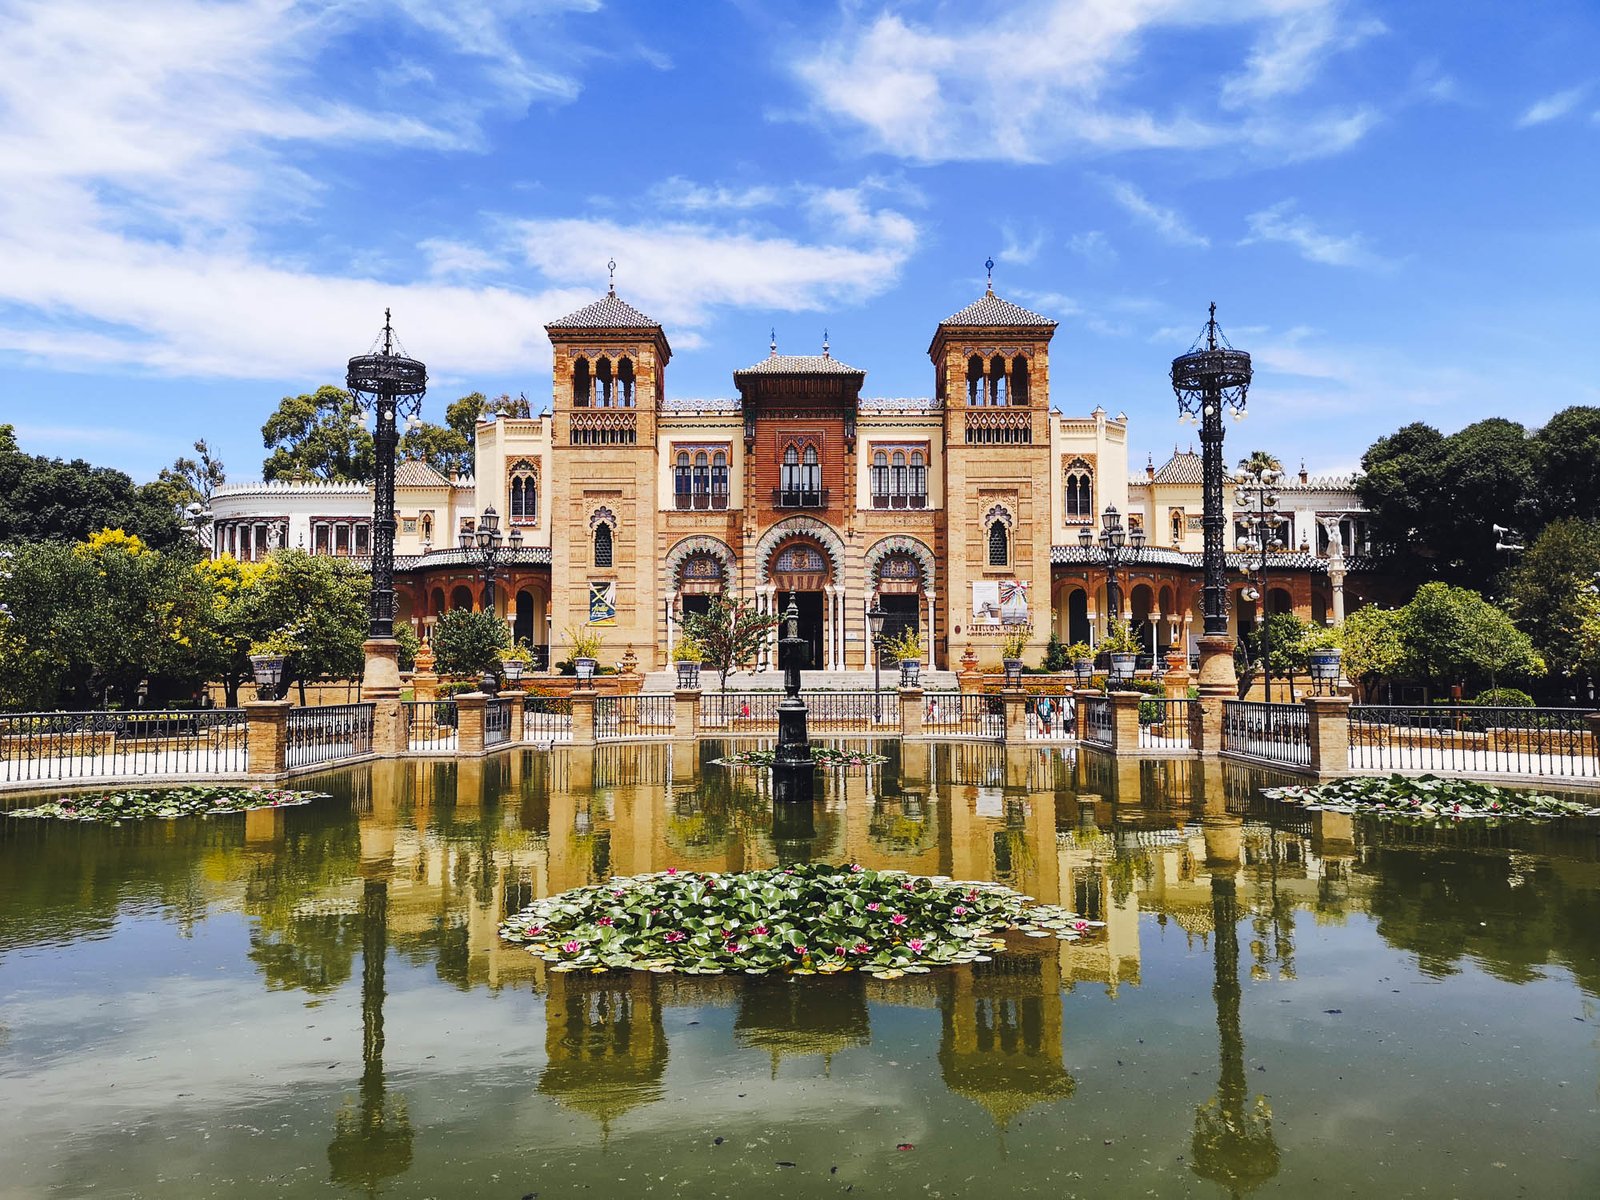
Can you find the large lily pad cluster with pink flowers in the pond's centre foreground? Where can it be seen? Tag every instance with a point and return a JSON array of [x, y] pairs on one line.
[[812, 919]]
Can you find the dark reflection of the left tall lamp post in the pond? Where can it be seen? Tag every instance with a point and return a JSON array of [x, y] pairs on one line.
[[374, 1142]]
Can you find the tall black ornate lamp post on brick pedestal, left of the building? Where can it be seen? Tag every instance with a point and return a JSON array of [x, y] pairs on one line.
[[393, 386]]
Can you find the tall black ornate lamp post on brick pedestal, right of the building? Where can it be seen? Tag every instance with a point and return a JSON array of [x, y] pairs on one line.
[[1206, 380]]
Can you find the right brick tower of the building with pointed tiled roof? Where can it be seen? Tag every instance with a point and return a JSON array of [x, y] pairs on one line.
[[993, 377]]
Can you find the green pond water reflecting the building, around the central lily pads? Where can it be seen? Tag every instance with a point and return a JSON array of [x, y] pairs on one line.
[[314, 1002]]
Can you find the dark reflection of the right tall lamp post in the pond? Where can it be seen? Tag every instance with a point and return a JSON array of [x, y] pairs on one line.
[[1233, 1142]]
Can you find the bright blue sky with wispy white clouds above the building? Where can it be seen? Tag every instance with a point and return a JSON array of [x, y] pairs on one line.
[[206, 207]]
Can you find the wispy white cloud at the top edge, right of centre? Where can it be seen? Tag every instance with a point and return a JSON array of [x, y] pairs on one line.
[[1049, 78]]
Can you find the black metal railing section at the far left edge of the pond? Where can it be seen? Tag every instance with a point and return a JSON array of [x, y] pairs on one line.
[[110, 745]]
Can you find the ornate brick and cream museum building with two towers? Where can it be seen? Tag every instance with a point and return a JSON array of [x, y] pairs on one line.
[[961, 514]]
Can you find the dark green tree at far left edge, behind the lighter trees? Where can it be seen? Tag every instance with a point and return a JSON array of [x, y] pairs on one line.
[[50, 500]]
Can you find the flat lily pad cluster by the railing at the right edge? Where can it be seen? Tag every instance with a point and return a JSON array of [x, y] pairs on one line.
[[1428, 799]]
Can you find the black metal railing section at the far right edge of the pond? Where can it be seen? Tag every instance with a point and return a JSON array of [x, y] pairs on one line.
[[1468, 738]]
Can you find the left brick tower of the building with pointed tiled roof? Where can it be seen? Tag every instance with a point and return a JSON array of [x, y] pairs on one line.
[[609, 372]]
